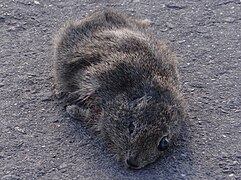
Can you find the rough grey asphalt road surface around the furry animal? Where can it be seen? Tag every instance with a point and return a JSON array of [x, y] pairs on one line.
[[39, 141]]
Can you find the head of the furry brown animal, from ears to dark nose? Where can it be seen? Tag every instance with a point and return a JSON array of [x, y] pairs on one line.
[[140, 129]]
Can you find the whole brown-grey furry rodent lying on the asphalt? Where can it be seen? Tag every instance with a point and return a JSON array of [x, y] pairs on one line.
[[120, 80]]
